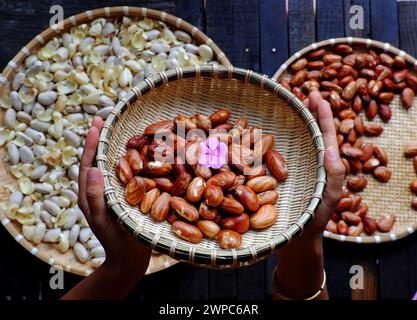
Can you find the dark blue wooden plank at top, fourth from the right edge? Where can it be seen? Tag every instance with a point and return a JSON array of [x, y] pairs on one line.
[[330, 23]]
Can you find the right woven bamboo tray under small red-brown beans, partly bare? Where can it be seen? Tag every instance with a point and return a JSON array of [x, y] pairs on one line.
[[394, 196]]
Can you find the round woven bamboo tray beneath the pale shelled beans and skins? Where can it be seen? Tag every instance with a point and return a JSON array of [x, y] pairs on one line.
[[45, 251]]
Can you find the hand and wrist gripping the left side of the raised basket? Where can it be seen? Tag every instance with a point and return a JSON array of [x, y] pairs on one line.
[[123, 252]]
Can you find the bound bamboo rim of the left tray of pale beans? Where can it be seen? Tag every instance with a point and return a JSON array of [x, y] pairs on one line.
[[49, 33]]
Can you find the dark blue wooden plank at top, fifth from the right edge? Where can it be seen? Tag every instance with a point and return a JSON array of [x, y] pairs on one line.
[[301, 24]]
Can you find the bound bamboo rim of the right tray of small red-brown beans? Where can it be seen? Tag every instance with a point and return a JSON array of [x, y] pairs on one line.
[[367, 43]]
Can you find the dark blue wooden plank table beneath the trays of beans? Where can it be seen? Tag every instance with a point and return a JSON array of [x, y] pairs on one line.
[[255, 34]]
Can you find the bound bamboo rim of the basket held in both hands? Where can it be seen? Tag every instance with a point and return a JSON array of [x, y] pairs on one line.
[[193, 253]]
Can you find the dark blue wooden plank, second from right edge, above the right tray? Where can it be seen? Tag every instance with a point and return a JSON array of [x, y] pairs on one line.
[[384, 21]]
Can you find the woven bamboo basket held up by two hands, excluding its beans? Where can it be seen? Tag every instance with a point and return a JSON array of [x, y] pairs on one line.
[[203, 90]]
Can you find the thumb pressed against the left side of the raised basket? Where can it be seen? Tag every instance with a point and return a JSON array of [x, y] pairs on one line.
[[95, 196]]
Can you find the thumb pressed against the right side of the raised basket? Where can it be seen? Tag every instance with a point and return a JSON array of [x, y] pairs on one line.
[[335, 177]]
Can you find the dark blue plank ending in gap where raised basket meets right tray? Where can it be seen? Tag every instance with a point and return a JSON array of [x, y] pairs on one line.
[[273, 35]]
